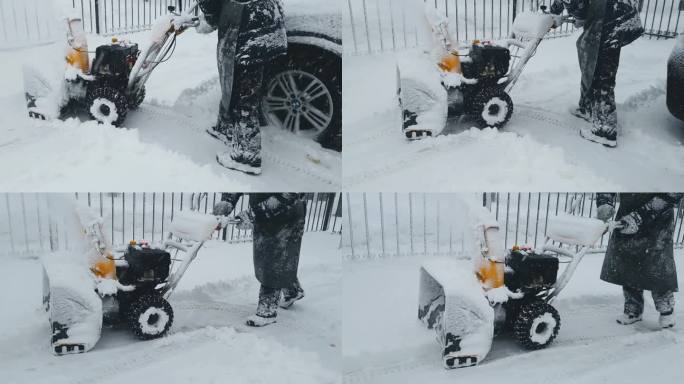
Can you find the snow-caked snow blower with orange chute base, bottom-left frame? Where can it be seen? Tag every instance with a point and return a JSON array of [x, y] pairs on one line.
[[130, 286]]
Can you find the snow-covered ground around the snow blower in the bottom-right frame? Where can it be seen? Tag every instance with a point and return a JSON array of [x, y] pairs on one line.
[[383, 341]]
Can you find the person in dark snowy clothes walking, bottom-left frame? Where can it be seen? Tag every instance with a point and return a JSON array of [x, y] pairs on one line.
[[277, 230]]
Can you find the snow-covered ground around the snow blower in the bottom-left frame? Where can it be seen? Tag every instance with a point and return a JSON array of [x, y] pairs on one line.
[[208, 342]]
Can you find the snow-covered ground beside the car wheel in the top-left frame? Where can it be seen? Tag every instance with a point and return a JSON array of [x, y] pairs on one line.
[[163, 144]]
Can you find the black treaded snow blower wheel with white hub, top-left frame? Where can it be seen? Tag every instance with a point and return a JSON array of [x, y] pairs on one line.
[[107, 105]]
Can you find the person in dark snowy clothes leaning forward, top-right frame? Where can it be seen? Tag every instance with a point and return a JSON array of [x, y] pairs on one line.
[[608, 26]]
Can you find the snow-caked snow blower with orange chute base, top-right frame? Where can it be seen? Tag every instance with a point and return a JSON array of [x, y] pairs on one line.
[[472, 80]]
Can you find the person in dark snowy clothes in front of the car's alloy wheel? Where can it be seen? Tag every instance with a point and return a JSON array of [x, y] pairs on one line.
[[251, 34]]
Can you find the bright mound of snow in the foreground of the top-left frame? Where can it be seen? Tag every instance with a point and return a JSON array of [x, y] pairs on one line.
[[106, 156]]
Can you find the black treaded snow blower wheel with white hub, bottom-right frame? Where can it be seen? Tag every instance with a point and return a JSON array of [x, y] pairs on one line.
[[536, 325]]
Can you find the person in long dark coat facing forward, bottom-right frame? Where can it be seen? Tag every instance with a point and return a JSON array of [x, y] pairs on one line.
[[640, 254]]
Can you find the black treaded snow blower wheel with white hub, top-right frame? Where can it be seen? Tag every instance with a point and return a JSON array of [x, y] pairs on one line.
[[492, 107]]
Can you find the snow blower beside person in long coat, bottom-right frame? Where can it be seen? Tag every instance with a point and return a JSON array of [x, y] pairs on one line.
[[510, 292]]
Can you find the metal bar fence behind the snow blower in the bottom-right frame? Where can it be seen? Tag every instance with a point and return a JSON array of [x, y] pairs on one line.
[[399, 224]]
